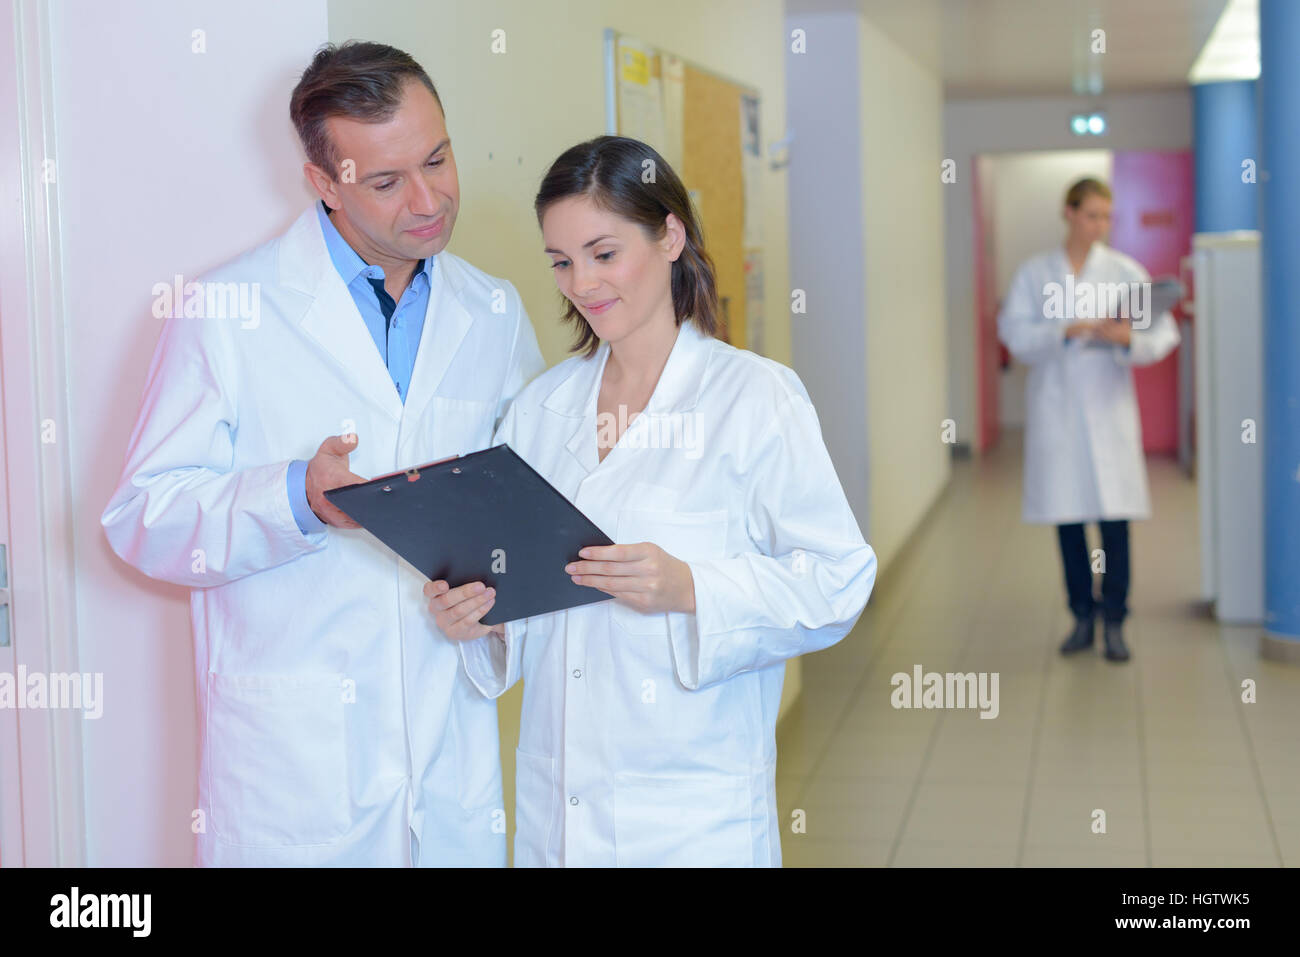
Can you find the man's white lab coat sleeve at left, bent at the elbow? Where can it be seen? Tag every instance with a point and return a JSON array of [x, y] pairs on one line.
[[181, 512]]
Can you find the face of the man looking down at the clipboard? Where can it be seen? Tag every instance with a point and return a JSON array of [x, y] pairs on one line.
[[400, 197]]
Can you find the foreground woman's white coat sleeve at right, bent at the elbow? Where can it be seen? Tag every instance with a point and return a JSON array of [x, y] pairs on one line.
[[805, 584]]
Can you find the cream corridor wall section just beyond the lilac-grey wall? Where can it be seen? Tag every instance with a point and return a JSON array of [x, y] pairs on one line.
[[907, 363]]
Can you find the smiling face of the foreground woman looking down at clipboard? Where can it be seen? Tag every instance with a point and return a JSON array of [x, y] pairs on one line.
[[618, 278]]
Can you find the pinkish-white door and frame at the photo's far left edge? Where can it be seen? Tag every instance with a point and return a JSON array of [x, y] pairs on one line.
[[41, 782]]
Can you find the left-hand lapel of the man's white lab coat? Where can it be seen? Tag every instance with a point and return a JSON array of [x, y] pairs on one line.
[[332, 318]]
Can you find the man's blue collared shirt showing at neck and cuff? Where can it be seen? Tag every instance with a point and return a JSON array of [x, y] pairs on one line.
[[396, 330]]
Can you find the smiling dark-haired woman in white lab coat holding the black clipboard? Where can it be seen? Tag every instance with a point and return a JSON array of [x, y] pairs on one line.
[[648, 729]]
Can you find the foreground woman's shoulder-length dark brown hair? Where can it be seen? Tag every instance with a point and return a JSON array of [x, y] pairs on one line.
[[631, 180]]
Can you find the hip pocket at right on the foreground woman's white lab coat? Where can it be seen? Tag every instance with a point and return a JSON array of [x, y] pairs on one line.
[[701, 820]]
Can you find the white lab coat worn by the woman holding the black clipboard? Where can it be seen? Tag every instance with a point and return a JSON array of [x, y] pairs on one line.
[[649, 739]]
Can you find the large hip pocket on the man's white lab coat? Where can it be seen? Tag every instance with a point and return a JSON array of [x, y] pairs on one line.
[[278, 773]]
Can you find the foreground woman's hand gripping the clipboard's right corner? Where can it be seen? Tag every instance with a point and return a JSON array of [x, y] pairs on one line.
[[644, 577]]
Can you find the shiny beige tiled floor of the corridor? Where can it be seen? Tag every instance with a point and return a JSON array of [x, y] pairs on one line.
[[1184, 772]]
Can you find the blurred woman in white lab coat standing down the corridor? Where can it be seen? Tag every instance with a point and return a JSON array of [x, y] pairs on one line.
[[1084, 457]]
